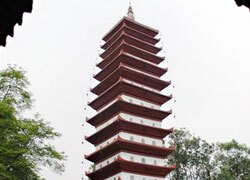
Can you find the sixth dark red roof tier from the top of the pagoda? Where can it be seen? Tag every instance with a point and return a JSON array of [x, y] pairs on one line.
[[132, 75]]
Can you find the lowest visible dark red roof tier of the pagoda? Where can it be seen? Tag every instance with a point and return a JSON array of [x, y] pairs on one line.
[[121, 164]]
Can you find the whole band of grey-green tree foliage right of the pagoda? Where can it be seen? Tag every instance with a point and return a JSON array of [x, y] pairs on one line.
[[197, 159]]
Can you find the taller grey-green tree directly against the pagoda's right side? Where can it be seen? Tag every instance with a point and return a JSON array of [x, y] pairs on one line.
[[192, 156]]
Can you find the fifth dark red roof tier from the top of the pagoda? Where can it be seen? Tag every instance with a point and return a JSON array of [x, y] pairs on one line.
[[133, 62]]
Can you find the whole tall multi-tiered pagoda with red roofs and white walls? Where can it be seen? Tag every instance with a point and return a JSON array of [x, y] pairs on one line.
[[129, 137]]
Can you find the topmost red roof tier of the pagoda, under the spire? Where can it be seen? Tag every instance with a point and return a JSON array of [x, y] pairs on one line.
[[132, 24]]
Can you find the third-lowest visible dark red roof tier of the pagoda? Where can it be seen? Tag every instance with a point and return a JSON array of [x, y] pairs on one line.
[[122, 125]]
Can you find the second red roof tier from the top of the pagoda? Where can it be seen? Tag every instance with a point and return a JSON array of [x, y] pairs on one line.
[[132, 32]]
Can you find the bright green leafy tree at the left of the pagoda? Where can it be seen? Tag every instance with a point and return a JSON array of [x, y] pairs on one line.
[[24, 146]]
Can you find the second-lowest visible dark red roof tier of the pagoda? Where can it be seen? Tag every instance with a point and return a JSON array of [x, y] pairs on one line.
[[121, 145]]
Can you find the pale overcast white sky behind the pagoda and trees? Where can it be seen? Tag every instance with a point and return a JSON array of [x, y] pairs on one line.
[[207, 48]]
